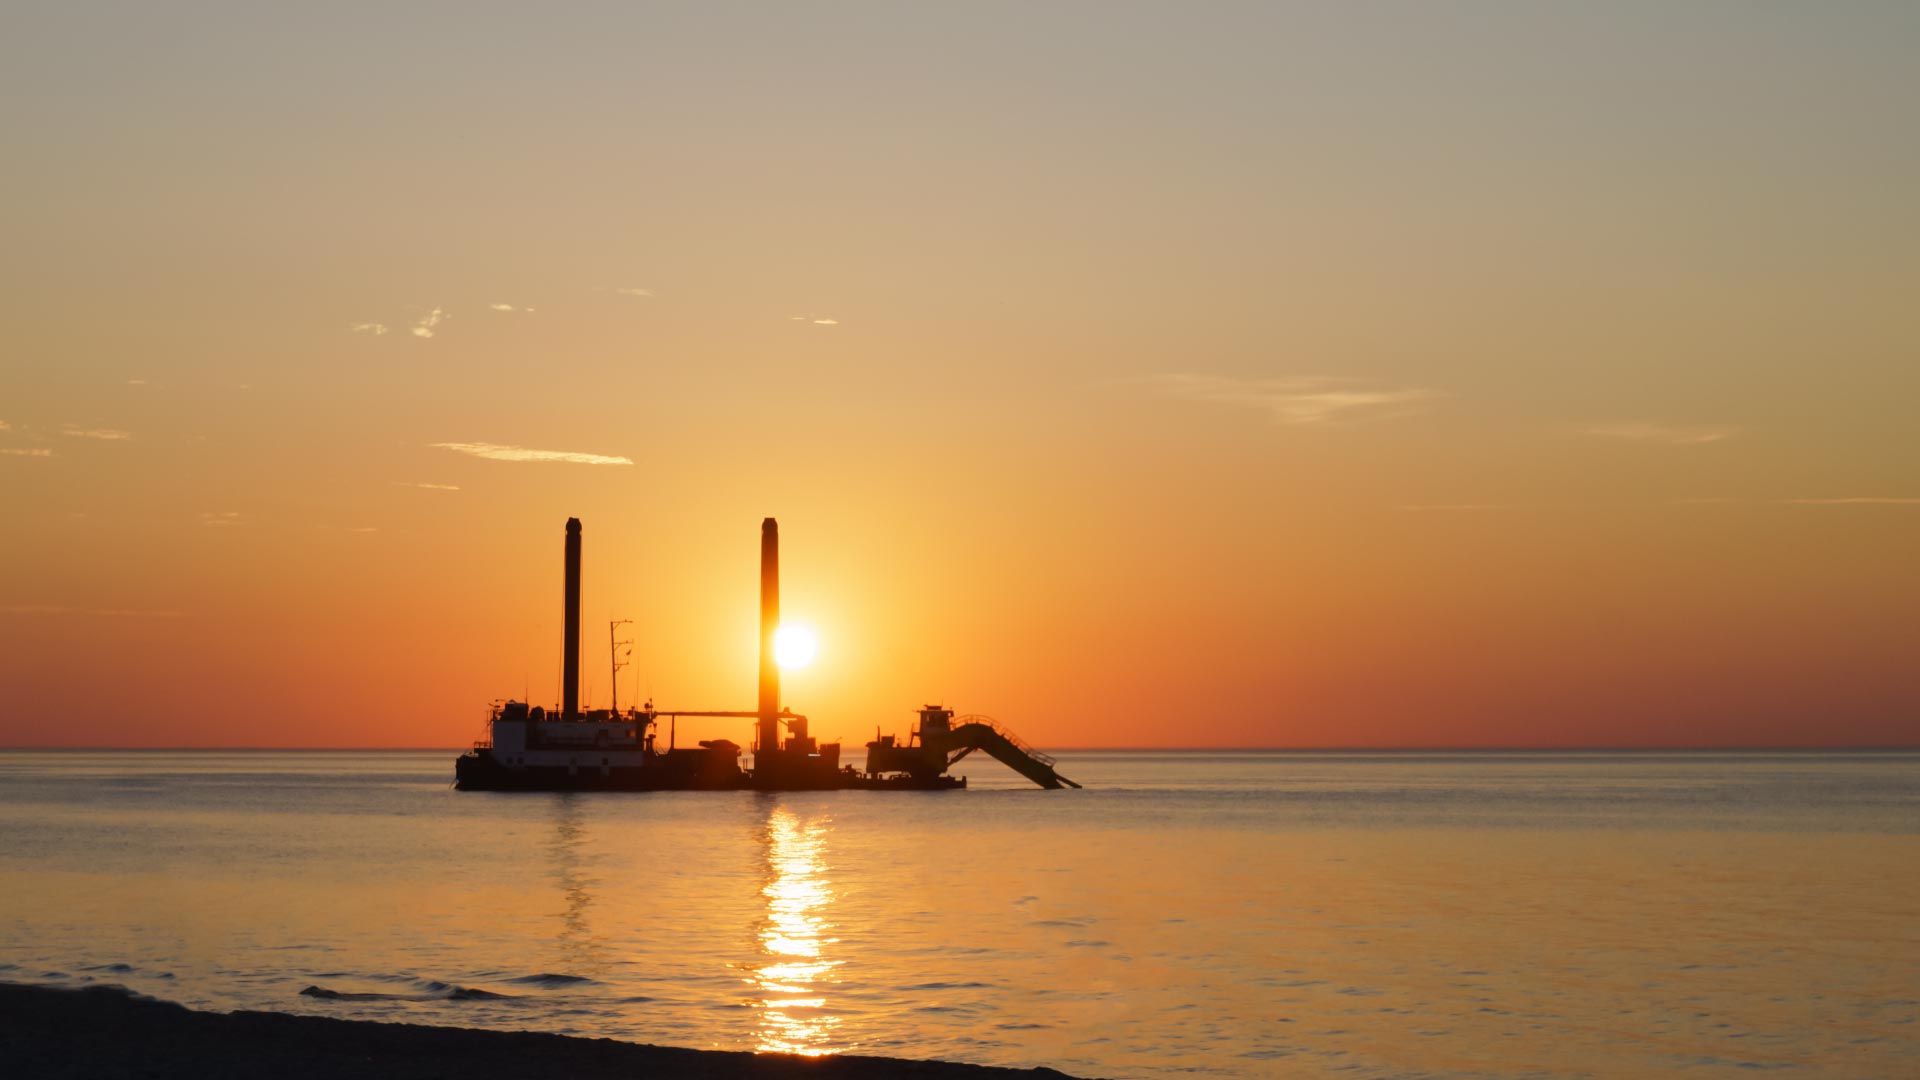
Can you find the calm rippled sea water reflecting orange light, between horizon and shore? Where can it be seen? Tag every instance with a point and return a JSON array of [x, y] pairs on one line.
[[1491, 916]]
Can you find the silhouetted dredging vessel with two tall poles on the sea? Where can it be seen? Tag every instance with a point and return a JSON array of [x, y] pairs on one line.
[[613, 750]]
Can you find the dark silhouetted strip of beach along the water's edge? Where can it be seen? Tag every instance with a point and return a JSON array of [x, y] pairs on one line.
[[108, 1033]]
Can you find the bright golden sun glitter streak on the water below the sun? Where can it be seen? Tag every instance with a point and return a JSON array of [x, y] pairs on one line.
[[794, 971]]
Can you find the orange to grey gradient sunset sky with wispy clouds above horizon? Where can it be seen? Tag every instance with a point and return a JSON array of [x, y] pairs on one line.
[[1141, 376]]
